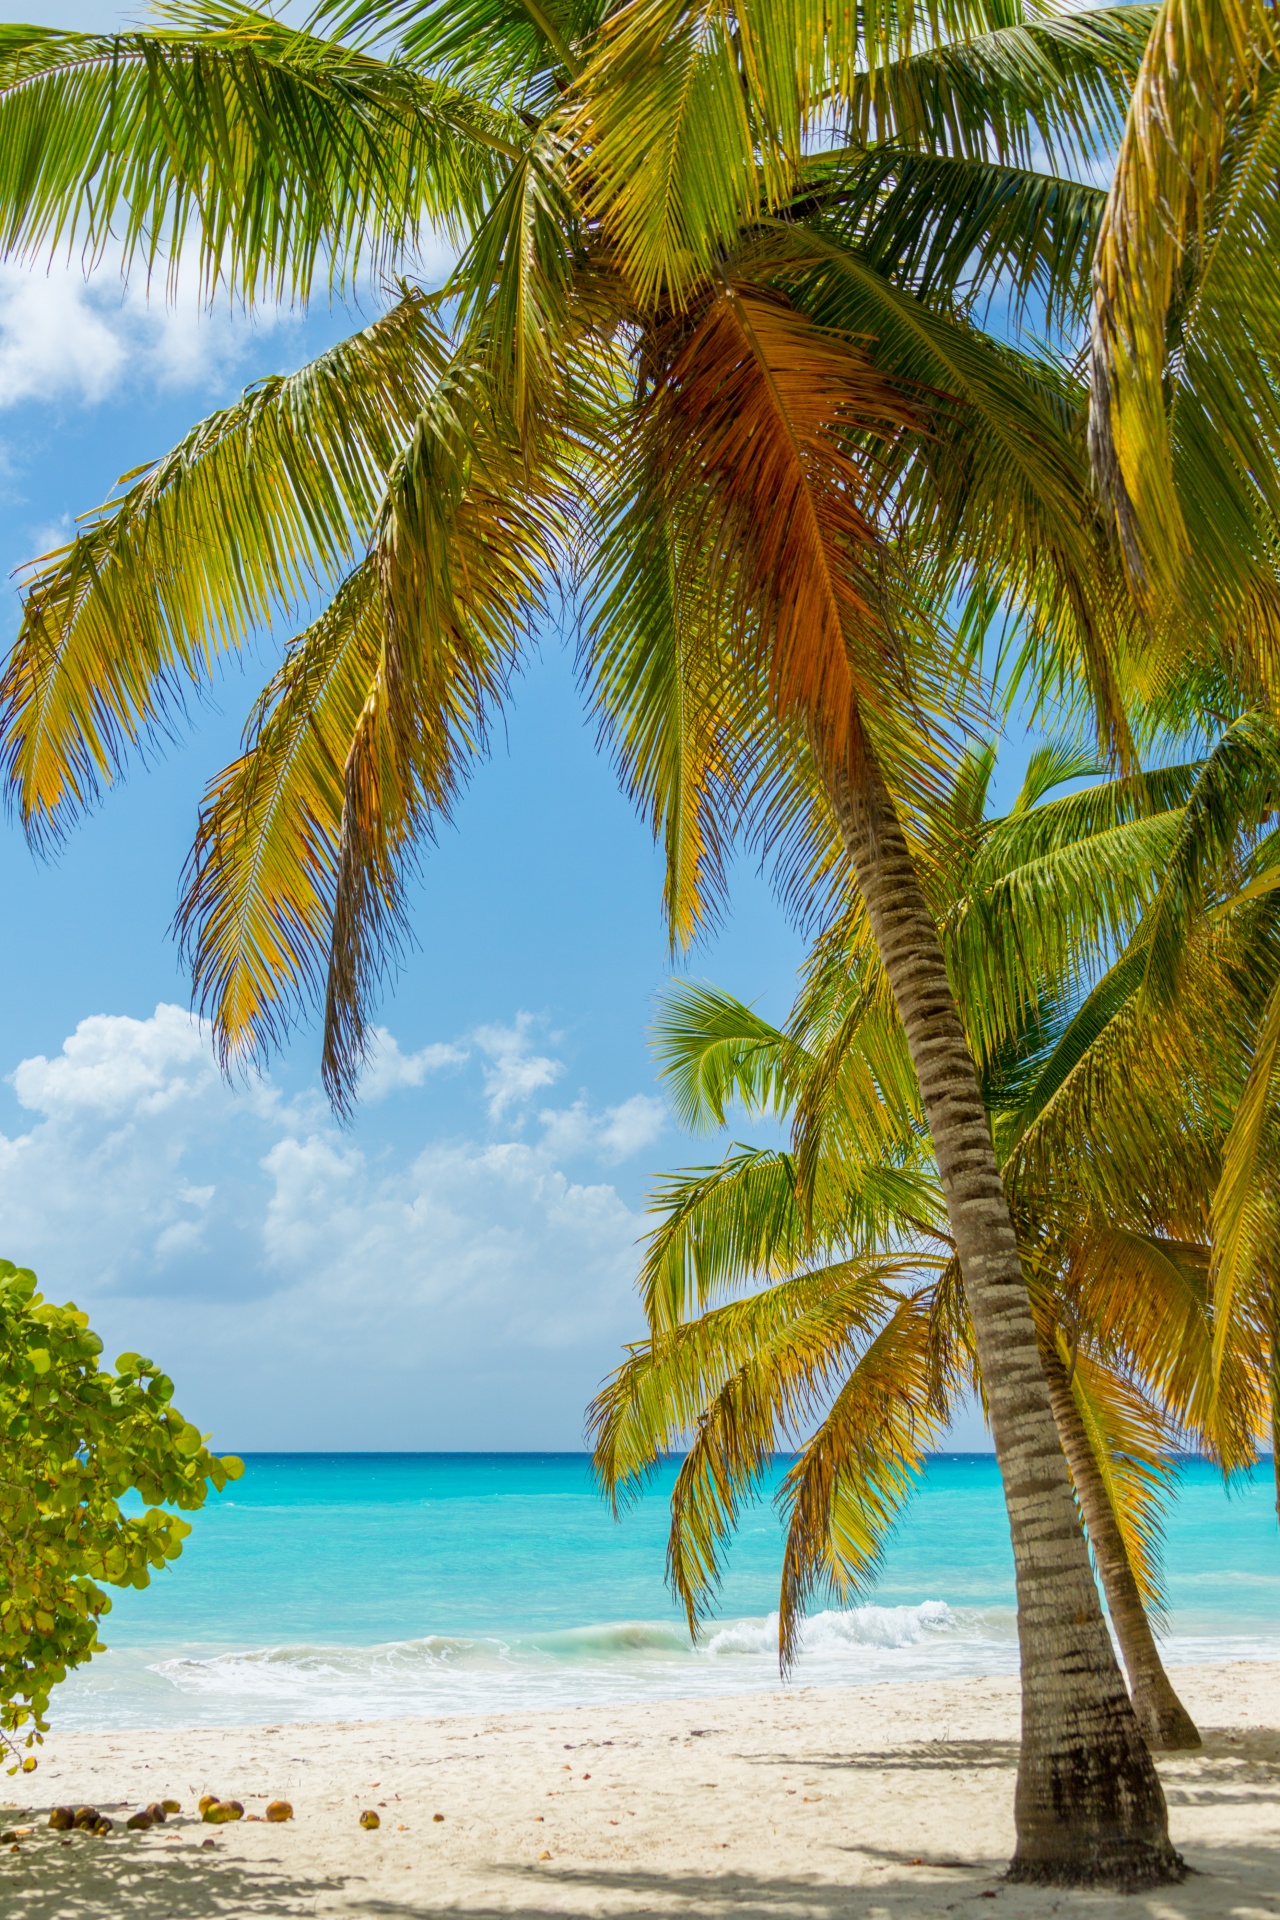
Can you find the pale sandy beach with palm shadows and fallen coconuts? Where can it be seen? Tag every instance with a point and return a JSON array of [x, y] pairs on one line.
[[811, 1804]]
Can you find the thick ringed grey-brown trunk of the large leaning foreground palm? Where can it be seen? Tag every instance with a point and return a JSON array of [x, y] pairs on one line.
[[1089, 1806]]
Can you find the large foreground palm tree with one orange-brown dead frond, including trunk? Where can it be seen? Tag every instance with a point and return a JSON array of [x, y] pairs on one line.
[[690, 358]]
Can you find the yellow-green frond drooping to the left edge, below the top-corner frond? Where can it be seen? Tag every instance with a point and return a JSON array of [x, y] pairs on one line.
[[260, 504]]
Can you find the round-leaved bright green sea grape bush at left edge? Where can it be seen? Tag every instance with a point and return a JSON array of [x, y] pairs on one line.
[[76, 1439]]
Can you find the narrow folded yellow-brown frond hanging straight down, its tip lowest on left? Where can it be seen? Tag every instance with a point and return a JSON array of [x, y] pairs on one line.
[[467, 546]]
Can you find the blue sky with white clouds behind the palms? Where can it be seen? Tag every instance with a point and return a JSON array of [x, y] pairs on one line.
[[456, 1268]]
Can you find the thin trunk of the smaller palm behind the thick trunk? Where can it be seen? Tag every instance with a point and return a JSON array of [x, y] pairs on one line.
[[1166, 1723]]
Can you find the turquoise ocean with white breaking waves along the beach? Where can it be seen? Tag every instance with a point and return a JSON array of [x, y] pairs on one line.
[[371, 1585]]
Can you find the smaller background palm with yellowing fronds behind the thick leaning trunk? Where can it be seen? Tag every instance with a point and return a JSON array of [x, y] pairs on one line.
[[859, 1376]]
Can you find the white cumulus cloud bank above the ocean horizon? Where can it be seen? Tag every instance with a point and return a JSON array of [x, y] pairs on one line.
[[320, 1289]]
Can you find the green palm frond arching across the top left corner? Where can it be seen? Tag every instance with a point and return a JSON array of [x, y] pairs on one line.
[[277, 155]]
